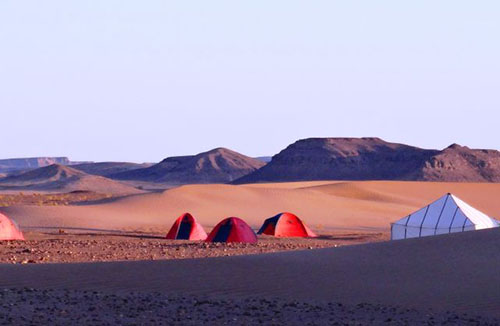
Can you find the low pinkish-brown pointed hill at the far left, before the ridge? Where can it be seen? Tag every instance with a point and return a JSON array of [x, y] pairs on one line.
[[61, 178]]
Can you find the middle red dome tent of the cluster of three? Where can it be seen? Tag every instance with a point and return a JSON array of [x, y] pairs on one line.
[[232, 229]]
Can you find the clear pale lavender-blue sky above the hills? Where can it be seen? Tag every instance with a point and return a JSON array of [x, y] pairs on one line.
[[119, 80]]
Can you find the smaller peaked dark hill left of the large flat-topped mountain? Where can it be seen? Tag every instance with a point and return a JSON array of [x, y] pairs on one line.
[[219, 165]]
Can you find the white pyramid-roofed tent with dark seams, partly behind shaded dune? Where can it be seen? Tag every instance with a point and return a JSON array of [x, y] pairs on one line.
[[446, 215]]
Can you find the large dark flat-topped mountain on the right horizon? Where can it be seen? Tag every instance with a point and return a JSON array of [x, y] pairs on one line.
[[376, 159]]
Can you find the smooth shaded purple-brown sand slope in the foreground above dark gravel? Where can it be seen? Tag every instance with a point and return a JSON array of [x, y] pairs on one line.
[[457, 272]]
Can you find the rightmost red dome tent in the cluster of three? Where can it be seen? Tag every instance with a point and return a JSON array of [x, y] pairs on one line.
[[285, 225]]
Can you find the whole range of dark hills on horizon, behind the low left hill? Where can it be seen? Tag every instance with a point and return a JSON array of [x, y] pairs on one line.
[[309, 159]]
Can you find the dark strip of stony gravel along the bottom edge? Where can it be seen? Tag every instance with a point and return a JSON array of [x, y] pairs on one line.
[[65, 307]]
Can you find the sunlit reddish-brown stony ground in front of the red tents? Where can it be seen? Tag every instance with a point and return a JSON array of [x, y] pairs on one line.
[[56, 248]]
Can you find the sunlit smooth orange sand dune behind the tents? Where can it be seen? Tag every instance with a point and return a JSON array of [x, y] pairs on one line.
[[323, 205]]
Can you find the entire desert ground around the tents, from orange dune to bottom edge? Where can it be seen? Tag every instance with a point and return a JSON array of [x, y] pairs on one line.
[[107, 261]]
